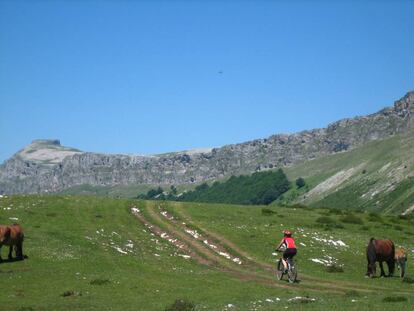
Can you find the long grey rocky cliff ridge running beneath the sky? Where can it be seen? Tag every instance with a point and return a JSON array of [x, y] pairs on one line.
[[46, 166]]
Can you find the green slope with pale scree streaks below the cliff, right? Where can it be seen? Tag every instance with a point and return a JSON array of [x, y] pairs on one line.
[[376, 177]]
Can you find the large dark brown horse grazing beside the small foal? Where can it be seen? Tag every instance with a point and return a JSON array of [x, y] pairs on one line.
[[380, 250]]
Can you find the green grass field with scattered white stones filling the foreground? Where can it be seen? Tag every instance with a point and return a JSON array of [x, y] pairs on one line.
[[90, 253]]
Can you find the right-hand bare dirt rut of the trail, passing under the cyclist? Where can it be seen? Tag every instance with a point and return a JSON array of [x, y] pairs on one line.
[[344, 285]]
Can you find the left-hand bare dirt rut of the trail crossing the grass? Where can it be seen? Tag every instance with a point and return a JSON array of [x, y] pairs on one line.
[[243, 274]]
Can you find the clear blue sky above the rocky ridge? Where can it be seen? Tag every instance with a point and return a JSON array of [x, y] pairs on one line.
[[148, 77]]
